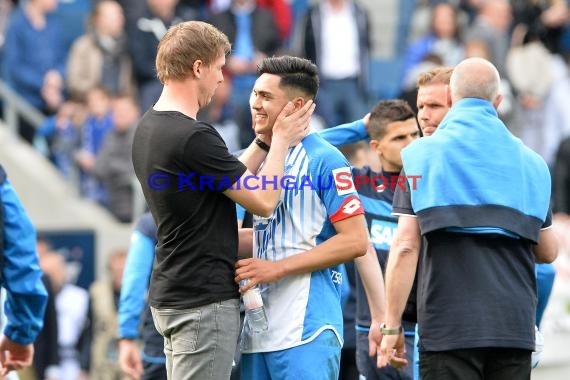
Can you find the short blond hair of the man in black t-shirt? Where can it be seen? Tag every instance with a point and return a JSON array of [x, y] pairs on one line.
[[185, 43]]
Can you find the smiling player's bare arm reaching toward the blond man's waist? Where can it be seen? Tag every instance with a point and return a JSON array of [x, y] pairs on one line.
[[350, 242]]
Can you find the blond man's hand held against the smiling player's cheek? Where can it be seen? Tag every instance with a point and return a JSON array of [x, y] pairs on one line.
[[292, 126]]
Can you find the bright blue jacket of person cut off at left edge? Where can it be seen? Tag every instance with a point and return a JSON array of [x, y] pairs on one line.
[[21, 274]]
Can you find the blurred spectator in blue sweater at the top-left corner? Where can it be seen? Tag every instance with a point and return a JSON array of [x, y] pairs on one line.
[[34, 58]]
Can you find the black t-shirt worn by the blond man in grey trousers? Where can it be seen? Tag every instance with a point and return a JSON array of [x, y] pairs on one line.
[[184, 167]]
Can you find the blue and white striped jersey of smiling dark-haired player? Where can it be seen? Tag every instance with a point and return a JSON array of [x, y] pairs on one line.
[[300, 307]]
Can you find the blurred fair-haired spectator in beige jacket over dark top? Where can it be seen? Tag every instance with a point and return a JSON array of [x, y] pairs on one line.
[[100, 58]]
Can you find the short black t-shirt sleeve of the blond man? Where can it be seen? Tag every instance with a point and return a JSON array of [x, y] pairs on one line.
[[210, 161]]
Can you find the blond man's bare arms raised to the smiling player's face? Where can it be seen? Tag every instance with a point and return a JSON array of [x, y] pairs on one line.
[[260, 193]]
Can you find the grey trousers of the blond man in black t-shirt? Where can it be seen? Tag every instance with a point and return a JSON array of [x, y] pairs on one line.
[[199, 343]]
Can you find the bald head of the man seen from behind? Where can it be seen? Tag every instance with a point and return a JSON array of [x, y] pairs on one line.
[[474, 78]]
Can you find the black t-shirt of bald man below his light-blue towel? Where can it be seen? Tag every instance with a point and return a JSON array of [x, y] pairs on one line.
[[474, 290]]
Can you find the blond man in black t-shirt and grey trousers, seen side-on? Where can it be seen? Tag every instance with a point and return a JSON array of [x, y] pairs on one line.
[[190, 182]]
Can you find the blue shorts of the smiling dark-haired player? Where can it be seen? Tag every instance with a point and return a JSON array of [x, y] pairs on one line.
[[316, 360]]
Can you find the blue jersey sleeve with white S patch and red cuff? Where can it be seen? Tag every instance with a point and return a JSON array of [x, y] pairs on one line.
[[337, 190]]
